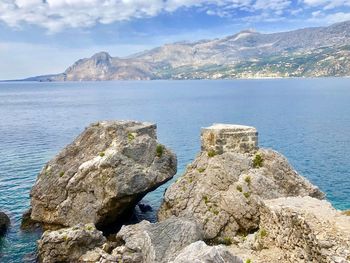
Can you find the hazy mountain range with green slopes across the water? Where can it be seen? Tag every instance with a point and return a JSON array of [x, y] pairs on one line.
[[309, 52]]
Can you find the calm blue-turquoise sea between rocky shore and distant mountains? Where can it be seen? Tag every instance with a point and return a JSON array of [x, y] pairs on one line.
[[308, 120]]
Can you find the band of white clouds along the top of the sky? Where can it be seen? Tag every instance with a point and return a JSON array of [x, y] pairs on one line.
[[56, 15]]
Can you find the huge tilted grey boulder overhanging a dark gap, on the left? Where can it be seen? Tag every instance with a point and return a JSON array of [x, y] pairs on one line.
[[103, 174]]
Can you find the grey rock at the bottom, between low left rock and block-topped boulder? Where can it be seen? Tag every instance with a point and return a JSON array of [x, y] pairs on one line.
[[148, 243]]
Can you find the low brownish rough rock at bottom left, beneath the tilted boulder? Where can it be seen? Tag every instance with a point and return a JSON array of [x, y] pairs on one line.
[[68, 244]]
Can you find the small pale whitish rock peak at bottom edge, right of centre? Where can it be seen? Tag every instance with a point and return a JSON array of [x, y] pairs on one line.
[[199, 252]]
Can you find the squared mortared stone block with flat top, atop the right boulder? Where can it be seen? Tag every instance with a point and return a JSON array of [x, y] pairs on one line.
[[220, 138]]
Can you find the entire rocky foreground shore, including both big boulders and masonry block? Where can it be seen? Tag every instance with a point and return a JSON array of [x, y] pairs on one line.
[[235, 202]]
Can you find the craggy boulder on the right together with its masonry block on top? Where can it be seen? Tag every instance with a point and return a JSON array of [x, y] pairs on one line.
[[224, 188]]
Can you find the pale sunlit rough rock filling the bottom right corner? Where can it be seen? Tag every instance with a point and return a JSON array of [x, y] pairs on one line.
[[311, 230]]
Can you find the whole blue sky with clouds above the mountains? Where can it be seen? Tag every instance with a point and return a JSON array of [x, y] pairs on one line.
[[46, 36]]
